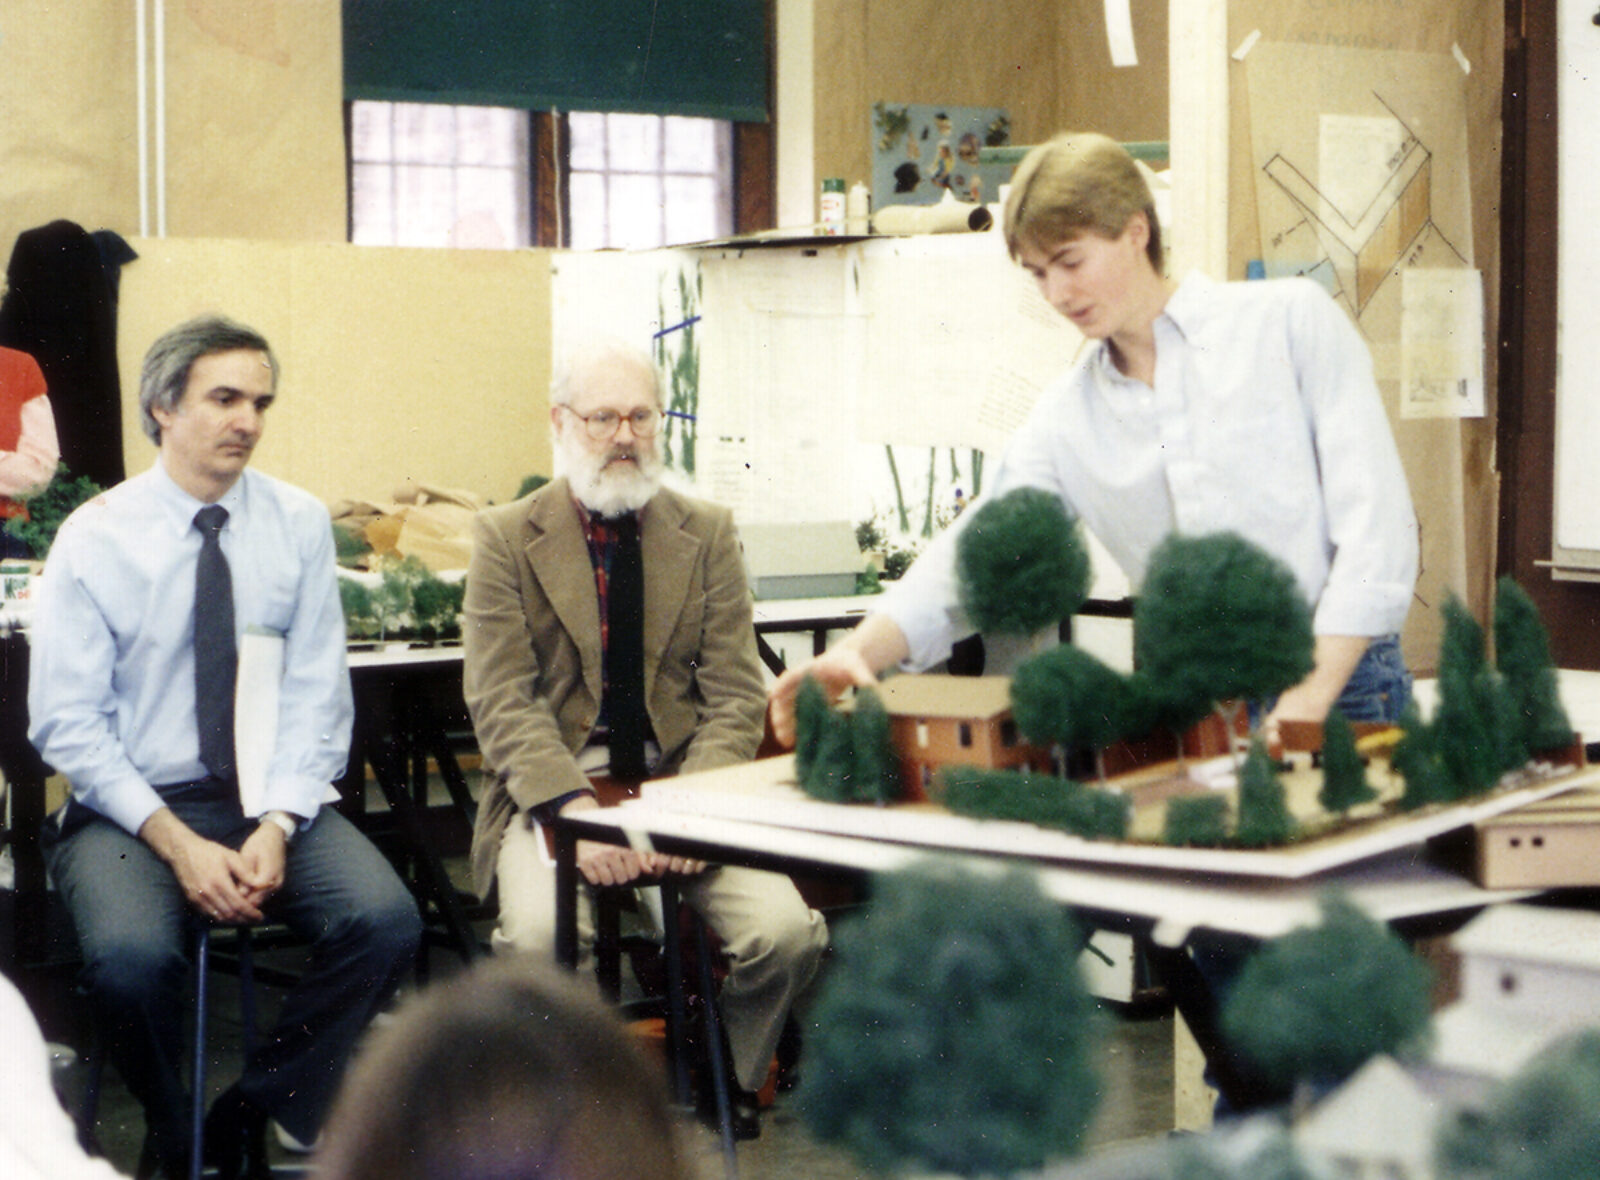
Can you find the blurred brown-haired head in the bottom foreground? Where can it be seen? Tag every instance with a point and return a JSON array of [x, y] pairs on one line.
[[510, 1070]]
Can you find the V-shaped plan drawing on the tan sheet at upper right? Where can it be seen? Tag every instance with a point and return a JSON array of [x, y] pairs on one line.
[[1367, 245]]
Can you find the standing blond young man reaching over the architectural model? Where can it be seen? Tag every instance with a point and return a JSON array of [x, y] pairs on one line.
[[1202, 407]]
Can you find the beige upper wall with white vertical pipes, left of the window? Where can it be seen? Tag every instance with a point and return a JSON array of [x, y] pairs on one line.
[[188, 118]]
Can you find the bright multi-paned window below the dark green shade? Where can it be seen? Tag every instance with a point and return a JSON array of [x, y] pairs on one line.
[[433, 175]]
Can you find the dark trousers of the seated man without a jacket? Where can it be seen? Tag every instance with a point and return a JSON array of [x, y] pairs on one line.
[[135, 930]]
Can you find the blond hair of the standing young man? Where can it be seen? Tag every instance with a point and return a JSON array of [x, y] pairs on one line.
[[1073, 185]]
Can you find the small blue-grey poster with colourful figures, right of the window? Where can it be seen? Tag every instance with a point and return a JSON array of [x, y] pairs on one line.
[[924, 153]]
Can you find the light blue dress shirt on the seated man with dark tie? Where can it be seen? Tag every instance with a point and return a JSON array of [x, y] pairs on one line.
[[111, 688]]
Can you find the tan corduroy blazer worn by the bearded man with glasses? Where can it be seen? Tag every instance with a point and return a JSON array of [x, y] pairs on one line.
[[534, 661]]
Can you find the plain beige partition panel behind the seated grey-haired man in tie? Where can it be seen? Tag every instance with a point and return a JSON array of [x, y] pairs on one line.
[[396, 364]]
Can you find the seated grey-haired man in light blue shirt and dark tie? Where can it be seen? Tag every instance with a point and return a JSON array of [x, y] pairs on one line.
[[154, 840]]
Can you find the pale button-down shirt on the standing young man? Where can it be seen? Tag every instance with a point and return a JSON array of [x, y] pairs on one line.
[[1265, 420]]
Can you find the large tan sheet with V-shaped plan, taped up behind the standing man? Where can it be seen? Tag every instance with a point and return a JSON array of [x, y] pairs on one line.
[[1358, 175]]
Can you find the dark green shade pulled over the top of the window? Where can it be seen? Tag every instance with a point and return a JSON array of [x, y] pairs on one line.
[[652, 57]]
